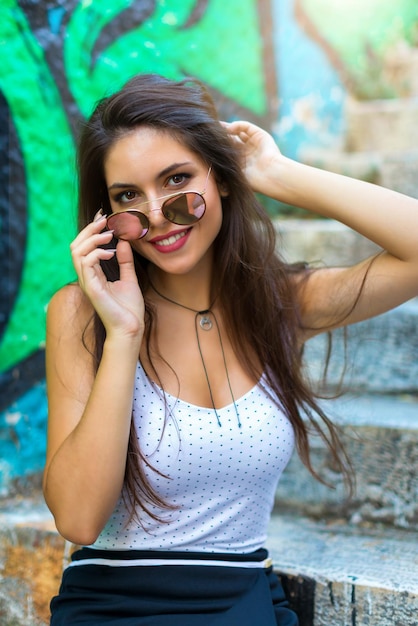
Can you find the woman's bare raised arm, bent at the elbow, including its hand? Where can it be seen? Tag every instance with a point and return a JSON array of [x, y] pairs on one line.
[[387, 218]]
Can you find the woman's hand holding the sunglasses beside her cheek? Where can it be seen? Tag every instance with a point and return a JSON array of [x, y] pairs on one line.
[[119, 304]]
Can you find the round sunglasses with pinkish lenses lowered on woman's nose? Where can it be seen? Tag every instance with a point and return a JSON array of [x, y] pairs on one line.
[[181, 208]]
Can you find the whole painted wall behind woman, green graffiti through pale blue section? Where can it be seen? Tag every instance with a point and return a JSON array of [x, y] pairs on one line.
[[276, 62]]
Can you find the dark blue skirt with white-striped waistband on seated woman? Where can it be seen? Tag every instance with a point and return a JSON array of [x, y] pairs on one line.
[[170, 595]]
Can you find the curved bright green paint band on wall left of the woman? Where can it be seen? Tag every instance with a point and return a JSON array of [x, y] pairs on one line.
[[48, 154]]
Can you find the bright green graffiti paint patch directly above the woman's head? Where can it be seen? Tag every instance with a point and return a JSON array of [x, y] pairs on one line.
[[223, 47]]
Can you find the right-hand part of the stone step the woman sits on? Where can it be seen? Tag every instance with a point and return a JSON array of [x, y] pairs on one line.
[[337, 575]]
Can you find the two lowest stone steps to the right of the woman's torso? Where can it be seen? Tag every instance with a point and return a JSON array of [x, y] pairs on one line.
[[355, 563]]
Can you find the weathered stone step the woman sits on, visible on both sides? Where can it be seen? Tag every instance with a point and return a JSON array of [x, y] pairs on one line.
[[334, 574]]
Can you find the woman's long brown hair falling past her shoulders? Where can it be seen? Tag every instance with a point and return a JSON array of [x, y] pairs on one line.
[[254, 286]]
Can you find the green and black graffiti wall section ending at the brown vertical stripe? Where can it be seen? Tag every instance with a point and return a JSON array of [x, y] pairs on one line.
[[57, 59]]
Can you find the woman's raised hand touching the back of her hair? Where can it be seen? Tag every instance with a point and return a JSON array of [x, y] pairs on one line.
[[261, 156]]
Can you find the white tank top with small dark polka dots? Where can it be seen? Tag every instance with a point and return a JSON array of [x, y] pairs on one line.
[[221, 479]]
